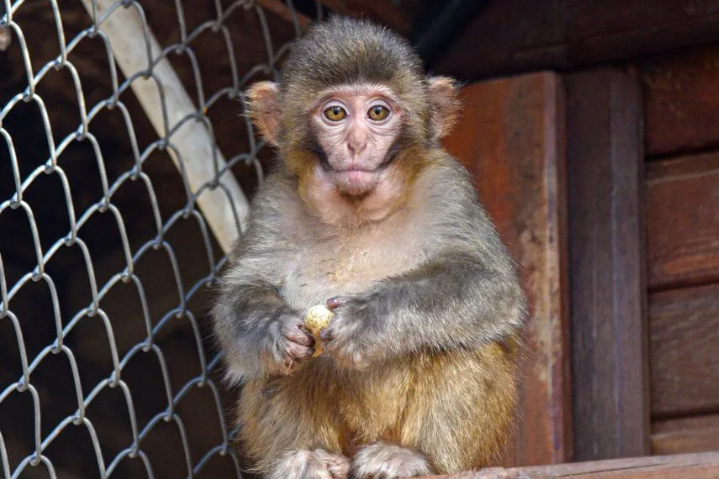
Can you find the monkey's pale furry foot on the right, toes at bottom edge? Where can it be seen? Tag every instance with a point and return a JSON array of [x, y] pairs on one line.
[[387, 461]]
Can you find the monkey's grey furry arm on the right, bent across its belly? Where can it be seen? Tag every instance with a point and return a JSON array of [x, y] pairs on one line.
[[454, 300]]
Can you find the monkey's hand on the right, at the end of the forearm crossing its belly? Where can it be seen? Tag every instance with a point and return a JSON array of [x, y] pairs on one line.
[[350, 338]]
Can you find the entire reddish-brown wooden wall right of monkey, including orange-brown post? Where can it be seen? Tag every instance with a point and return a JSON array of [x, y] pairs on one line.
[[642, 159]]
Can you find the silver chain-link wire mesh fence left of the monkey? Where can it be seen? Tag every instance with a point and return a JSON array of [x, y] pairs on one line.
[[106, 364]]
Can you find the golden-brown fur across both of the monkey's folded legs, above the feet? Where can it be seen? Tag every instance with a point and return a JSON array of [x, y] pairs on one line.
[[455, 407]]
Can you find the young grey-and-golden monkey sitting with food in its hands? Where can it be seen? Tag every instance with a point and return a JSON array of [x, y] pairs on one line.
[[366, 213]]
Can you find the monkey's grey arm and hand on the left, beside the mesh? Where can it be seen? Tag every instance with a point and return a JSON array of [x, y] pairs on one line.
[[259, 333]]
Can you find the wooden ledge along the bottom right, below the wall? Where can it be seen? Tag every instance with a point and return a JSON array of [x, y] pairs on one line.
[[684, 466]]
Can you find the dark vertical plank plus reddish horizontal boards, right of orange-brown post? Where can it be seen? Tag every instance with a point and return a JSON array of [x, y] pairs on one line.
[[643, 203]]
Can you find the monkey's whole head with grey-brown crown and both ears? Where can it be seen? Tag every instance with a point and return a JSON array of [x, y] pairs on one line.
[[354, 118]]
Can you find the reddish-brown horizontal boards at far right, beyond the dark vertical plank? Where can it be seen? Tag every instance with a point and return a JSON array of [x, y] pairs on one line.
[[681, 101]]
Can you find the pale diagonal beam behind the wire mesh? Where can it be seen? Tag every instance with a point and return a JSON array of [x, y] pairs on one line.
[[193, 147]]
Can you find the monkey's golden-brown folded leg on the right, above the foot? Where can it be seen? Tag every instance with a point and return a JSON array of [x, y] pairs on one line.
[[460, 413]]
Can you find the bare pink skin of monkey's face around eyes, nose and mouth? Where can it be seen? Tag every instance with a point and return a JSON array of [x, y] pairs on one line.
[[355, 127]]
